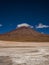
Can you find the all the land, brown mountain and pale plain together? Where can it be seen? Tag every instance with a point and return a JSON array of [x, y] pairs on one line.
[[24, 46]]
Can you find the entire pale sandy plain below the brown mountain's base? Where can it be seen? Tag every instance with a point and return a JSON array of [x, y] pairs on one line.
[[24, 53]]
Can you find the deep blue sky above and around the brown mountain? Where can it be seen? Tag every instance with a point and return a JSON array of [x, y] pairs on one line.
[[32, 12]]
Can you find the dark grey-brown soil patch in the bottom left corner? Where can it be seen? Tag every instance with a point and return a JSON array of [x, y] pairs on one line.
[[5, 60]]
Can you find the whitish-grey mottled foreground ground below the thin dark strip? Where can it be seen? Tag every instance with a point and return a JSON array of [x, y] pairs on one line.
[[24, 56]]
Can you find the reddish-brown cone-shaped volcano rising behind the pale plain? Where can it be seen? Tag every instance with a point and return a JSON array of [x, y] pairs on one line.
[[25, 34]]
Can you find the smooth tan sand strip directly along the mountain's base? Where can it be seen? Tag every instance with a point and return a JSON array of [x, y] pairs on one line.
[[9, 43]]
